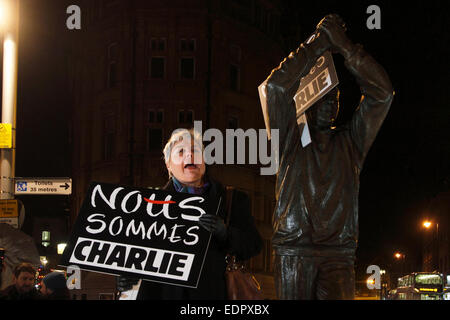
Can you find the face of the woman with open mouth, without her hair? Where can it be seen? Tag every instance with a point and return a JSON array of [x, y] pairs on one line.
[[181, 163]]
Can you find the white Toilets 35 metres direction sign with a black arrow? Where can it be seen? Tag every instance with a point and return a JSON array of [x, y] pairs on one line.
[[43, 186]]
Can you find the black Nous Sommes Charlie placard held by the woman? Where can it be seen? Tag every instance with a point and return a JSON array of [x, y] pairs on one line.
[[145, 233]]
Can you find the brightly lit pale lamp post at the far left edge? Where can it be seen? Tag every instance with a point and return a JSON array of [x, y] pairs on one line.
[[9, 98]]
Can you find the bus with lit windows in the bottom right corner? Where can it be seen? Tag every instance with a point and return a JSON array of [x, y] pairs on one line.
[[420, 286]]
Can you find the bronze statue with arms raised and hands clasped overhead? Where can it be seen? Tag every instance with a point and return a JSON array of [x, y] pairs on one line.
[[316, 216]]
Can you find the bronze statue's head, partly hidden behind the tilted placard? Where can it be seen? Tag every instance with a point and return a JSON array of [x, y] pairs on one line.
[[324, 112]]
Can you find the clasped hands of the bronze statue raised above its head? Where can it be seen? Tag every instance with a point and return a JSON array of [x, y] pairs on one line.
[[334, 27]]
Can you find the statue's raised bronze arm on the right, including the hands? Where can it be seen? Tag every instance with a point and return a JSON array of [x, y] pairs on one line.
[[376, 88]]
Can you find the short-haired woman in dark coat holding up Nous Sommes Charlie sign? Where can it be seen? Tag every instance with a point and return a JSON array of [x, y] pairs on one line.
[[183, 156]]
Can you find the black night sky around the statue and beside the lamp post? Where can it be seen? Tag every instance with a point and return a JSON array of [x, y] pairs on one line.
[[407, 165]]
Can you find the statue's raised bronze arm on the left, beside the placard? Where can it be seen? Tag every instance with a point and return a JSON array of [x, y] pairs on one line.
[[283, 82]]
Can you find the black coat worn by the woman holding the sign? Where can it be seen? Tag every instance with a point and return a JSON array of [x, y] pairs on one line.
[[243, 240]]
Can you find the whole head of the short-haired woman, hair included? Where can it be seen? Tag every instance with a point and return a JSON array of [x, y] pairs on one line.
[[183, 155]]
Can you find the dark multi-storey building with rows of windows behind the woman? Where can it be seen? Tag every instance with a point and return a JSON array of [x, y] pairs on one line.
[[141, 69]]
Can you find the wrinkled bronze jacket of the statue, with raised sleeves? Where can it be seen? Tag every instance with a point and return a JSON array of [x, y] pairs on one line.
[[317, 185]]
